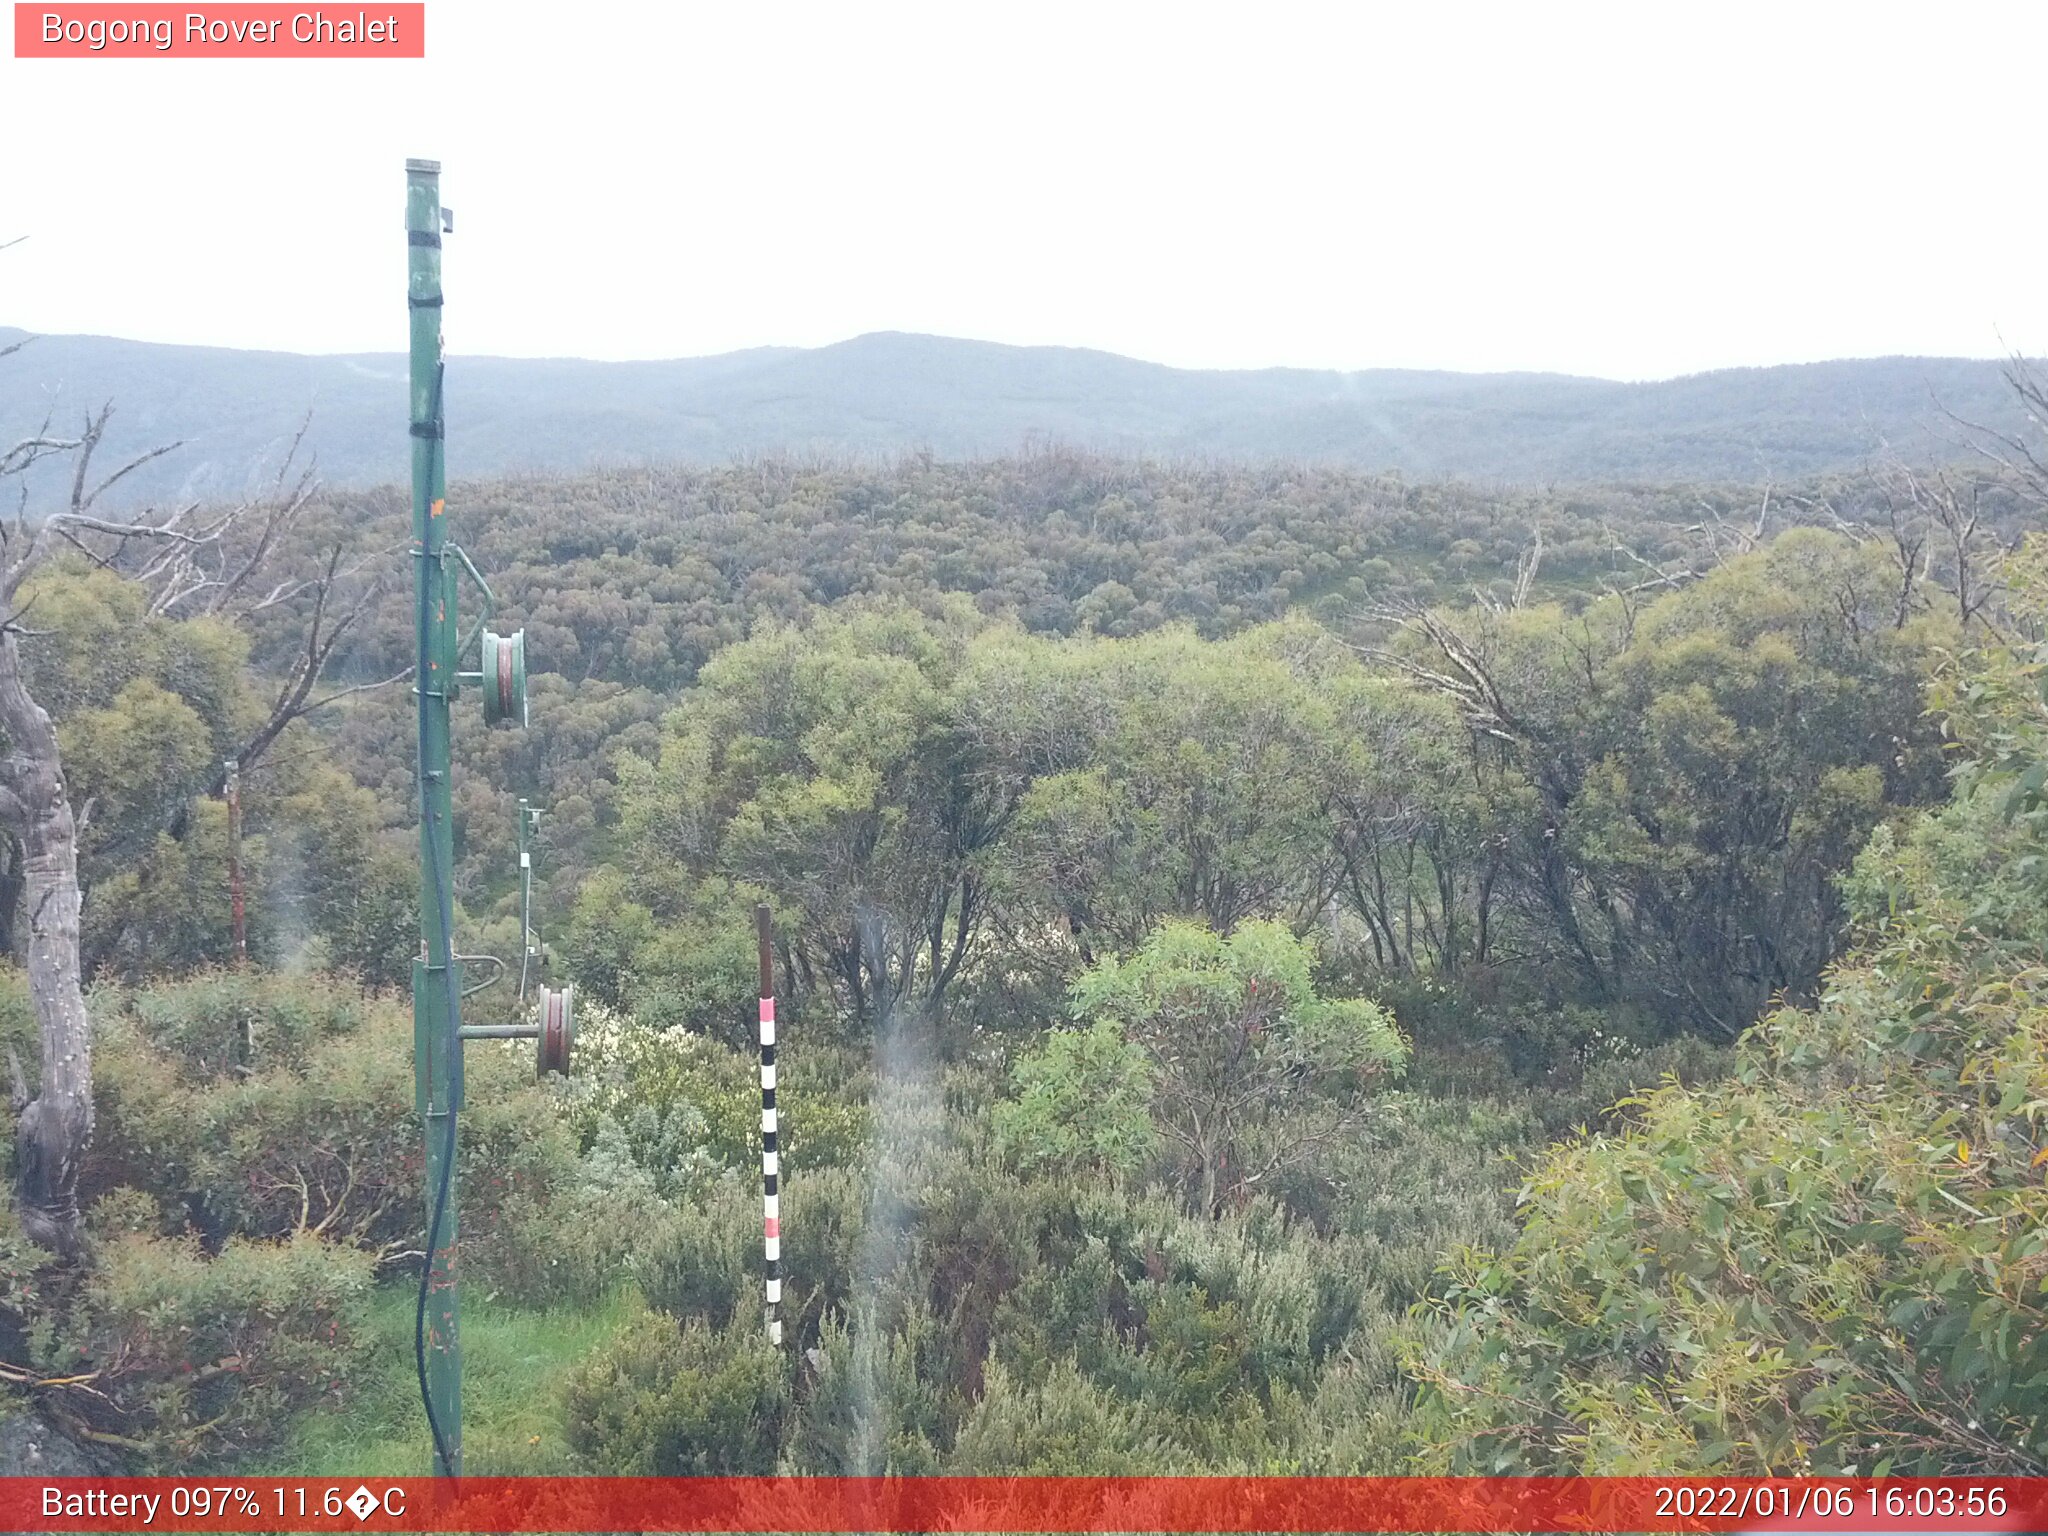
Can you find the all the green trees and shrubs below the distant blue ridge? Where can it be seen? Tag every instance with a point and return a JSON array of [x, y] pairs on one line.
[[1275, 964]]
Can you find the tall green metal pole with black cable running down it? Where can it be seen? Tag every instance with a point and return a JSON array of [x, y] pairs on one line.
[[437, 1048]]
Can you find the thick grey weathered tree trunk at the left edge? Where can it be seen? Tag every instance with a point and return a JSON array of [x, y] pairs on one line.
[[54, 1129]]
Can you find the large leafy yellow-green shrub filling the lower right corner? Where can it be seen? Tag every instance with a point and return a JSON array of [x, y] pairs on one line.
[[1826, 1263]]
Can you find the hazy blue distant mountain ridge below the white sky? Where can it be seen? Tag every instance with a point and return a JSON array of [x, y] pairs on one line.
[[894, 392]]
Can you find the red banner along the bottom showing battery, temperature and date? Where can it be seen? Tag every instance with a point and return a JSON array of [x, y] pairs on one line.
[[1027, 1504]]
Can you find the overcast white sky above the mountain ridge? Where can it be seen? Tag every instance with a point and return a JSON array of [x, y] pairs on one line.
[[1631, 191]]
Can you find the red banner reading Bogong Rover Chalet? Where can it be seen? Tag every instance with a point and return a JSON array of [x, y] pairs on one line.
[[220, 32]]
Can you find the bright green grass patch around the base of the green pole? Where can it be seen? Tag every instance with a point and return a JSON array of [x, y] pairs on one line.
[[513, 1369]]
